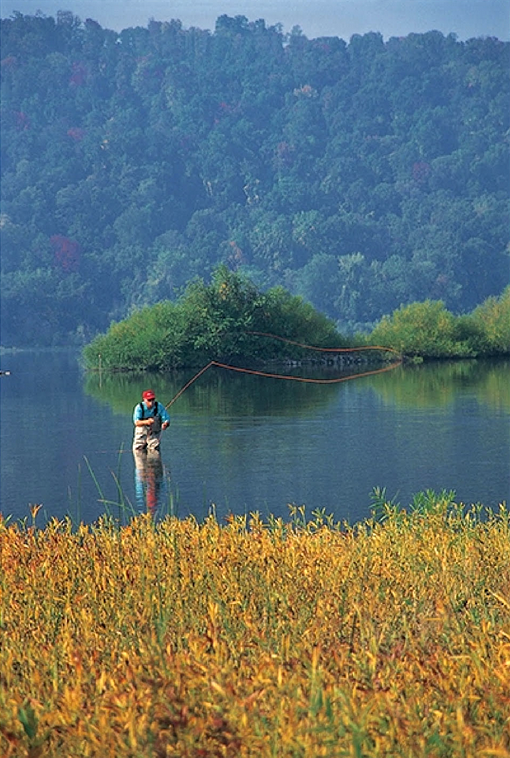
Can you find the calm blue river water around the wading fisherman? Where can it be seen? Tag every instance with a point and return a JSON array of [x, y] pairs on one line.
[[239, 443]]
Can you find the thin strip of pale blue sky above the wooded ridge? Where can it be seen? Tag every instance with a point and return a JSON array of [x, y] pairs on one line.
[[316, 18]]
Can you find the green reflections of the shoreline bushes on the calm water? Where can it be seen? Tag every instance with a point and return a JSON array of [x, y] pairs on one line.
[[431, 385]]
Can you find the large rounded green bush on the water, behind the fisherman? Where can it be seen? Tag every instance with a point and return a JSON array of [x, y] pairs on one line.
[[212, 322]]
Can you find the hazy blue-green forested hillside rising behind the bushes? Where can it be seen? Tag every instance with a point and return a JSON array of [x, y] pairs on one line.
[[361, 175]]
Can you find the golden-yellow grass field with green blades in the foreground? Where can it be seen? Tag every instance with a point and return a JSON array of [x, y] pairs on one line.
[[252, 638]]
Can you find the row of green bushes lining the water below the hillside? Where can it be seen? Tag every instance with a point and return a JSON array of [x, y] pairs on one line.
[[232, 320]]
